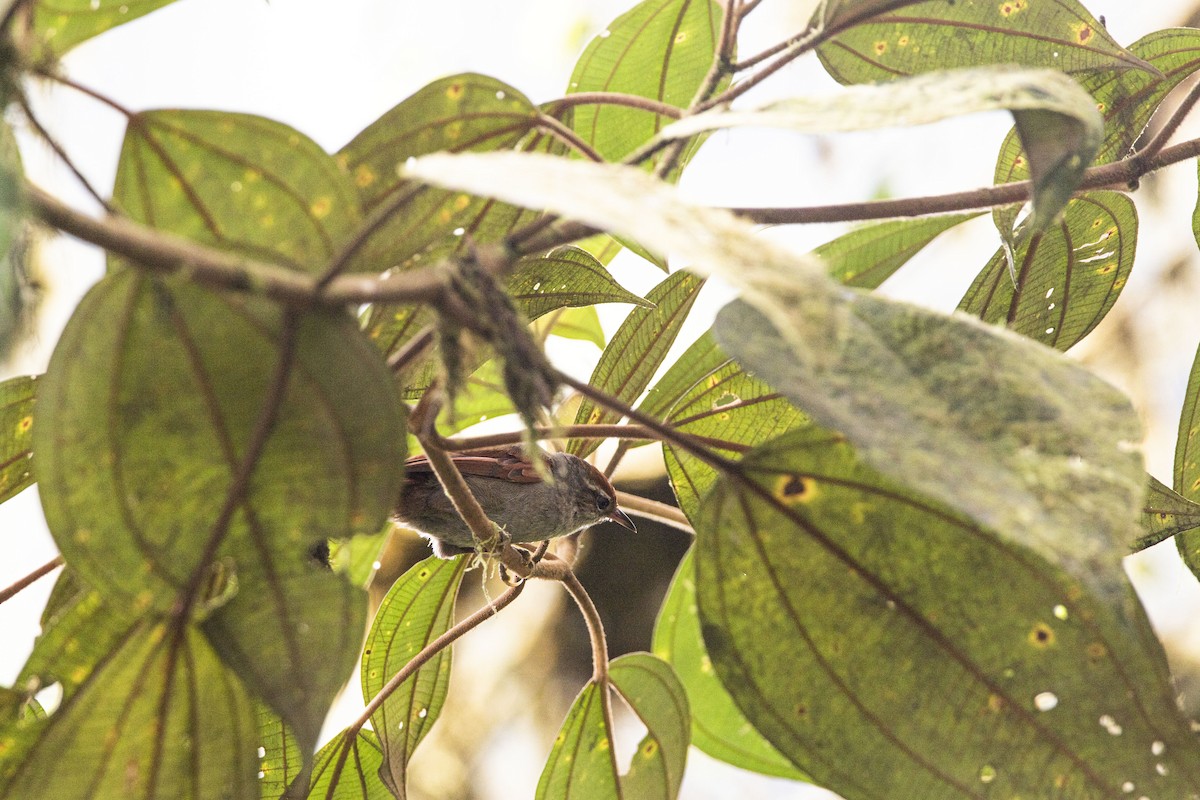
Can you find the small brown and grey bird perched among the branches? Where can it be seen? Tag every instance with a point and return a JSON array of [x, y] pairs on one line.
[[513, 495]]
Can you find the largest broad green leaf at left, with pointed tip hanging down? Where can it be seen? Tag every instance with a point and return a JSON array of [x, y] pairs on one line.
[[145, 416]]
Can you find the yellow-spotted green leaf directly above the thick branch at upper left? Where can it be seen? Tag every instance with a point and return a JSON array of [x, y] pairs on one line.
[[236, 182]]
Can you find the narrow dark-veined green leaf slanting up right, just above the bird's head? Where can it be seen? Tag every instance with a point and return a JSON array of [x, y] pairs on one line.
[[637, 351]]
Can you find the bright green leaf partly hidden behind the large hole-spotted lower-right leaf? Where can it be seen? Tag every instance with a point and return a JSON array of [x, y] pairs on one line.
[[718, 726]]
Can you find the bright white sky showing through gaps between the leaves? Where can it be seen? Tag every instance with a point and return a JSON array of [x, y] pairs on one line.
[[332, 69]]
